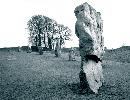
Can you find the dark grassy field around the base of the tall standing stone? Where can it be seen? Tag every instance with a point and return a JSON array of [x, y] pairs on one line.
[[30, 76]]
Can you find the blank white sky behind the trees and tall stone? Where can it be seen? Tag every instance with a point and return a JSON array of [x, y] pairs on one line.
[[14, 15]]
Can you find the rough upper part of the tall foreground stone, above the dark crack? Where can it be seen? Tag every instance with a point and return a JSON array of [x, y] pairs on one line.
[[89, 28]]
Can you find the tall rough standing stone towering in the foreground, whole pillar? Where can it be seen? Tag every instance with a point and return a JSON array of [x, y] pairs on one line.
[[89, 28]]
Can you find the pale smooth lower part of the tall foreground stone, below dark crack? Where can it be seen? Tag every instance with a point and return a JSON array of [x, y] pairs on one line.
[[94, 75]]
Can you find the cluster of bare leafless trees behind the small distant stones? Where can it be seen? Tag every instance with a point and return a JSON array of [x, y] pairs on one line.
[[46, 32]]
